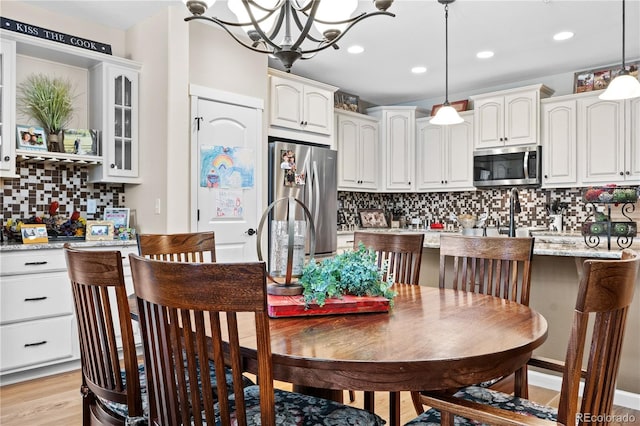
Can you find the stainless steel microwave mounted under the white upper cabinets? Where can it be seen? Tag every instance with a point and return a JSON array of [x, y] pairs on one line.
[[513, 166]]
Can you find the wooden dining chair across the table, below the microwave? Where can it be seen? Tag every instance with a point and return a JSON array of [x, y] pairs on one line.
[[497, 266]]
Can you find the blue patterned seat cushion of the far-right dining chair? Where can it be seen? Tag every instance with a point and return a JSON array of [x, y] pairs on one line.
[[490, 397]]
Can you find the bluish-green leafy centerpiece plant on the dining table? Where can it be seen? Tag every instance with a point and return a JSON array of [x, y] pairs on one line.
[[353, 272]]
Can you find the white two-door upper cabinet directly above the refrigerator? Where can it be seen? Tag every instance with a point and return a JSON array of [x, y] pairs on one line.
[[300, 105]]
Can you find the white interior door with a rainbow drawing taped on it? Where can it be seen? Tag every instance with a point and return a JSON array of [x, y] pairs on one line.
[[227, 172]]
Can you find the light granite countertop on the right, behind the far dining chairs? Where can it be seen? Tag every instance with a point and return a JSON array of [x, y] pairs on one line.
[[547, 243]]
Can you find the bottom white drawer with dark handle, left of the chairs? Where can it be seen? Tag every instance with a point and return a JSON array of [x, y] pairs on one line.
[[36, 342]]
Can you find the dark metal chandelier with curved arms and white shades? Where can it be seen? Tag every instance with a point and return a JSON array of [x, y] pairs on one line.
[[283, 28]]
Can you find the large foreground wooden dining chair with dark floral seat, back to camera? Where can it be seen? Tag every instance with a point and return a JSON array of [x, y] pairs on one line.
[[190, 312]]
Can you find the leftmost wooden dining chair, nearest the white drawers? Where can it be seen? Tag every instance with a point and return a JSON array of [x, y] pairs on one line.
[[109, 396]]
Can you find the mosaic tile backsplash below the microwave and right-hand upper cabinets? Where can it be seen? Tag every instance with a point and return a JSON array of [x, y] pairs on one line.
[[438, 206]]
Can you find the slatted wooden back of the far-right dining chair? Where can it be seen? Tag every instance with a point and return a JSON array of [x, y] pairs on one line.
[[605, 294]]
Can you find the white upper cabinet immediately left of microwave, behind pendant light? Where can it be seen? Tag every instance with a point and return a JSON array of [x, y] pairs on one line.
[[445, 155]]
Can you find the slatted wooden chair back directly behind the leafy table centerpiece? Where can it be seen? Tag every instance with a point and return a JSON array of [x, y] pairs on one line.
[[401, 251]]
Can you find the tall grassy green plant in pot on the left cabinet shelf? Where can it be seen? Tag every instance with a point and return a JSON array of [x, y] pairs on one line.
[[48, 100]]
